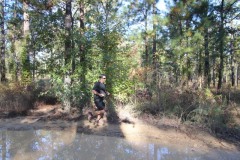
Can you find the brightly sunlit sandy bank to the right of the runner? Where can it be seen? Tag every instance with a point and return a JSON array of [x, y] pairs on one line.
[[145, 132]]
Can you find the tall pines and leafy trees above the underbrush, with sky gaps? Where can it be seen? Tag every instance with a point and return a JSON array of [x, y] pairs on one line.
[[137, 45]]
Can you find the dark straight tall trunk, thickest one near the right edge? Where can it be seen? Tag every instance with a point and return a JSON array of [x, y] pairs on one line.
[[221, 47]]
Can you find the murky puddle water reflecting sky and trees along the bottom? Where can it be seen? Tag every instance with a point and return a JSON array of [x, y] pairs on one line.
[[66, 144]]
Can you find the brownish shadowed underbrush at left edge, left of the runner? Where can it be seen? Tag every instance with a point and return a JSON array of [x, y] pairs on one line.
[[17, 99]]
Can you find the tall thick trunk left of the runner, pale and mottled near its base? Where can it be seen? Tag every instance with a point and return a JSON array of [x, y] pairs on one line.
[[67, 54]]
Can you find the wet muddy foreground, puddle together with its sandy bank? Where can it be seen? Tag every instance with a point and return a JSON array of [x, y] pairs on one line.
[[22, 138]]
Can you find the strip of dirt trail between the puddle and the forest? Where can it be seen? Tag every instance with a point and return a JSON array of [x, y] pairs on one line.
[[129, 127]]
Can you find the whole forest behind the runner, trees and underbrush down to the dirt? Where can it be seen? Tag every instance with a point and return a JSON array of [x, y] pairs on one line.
[[181, 61]]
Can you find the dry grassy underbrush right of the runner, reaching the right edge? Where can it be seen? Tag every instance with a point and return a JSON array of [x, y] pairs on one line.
[[217, 112]]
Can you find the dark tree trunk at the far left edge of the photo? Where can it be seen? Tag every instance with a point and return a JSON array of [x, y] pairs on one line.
[[2, 65]]
